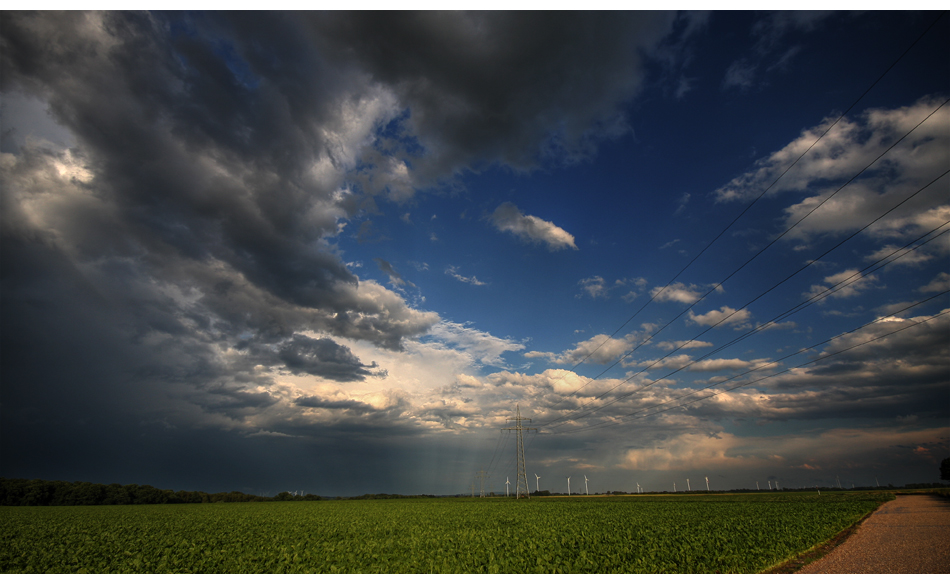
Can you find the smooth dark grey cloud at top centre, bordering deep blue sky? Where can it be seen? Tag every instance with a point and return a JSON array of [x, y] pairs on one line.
[[515, 87]]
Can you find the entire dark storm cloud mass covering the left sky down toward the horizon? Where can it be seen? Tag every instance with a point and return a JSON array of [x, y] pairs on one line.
[[160, 272]]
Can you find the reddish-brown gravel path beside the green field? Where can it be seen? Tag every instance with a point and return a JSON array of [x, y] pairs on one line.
[[910, 535]]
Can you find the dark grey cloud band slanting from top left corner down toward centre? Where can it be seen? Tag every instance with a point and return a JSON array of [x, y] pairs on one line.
[[155, 134]]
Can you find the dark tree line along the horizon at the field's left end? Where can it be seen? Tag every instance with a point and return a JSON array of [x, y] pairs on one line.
[[19, 492]]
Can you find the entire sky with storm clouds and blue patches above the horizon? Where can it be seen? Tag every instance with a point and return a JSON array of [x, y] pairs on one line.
[[338, 253]]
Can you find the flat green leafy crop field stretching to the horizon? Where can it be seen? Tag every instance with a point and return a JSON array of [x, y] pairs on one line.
[[745, 533]]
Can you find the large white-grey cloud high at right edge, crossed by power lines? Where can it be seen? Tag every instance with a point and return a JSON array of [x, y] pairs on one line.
[[842, 154]]
